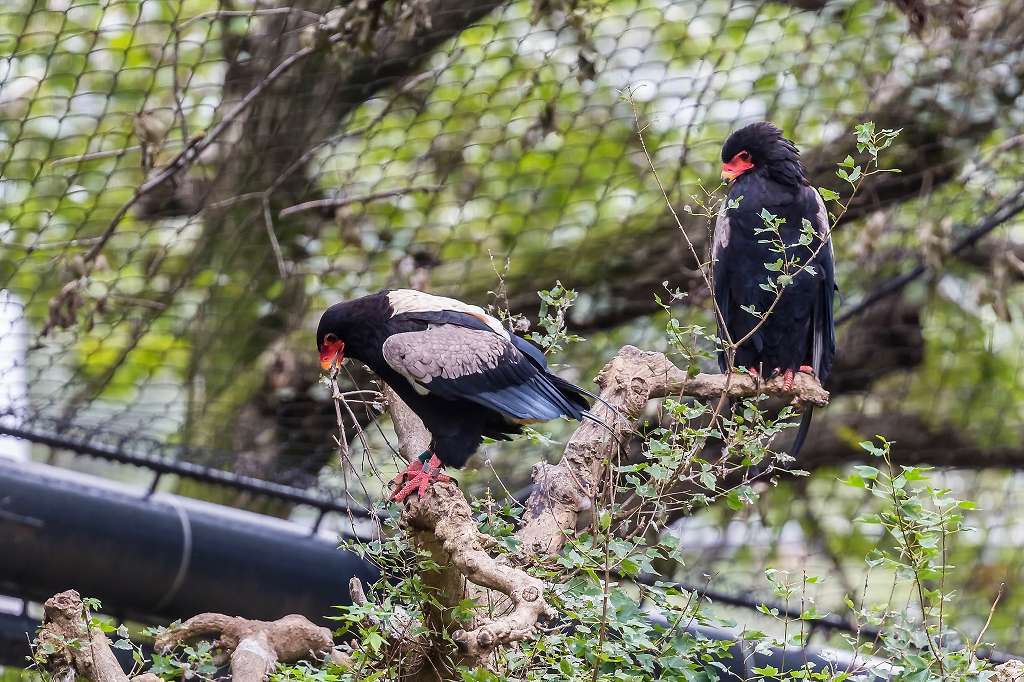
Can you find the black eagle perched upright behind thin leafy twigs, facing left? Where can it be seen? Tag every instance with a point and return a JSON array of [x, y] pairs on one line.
[[765, 175]]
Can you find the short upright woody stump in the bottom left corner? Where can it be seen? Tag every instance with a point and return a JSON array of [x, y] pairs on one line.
[[70, 649]]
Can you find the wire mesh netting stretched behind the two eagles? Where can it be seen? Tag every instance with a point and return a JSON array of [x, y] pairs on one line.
[[187, 184]]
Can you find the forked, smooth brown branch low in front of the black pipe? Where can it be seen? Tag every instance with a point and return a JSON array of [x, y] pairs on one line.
[[255, 647]]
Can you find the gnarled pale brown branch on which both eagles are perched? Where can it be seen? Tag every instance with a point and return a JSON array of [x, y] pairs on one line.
[[443, 522]]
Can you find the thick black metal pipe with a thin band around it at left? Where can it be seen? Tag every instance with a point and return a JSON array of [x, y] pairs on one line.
[[161, 557]]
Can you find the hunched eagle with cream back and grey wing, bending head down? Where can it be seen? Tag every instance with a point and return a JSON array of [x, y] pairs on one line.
[[458, 368]]
